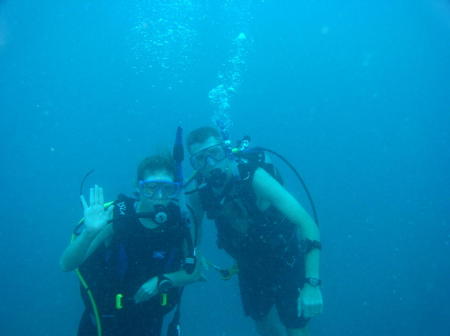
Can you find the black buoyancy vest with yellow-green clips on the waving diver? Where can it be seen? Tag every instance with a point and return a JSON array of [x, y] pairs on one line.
[[112, 275]]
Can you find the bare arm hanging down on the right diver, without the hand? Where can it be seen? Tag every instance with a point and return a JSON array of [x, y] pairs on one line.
[[267, 188]]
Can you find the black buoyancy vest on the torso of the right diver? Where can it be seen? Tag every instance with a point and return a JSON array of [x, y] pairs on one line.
[[244, 231]]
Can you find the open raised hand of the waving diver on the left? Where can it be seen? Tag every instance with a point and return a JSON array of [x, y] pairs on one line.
[[95, 214]]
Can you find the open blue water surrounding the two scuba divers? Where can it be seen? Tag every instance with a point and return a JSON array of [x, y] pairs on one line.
[[355, 93]]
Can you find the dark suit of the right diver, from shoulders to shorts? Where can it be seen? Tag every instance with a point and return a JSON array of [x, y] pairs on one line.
[[265, 246]]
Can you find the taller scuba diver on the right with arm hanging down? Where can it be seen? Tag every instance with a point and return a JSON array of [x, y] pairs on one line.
[[274, 242]]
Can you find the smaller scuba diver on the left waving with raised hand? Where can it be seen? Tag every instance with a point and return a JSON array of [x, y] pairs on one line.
[[133, 256]]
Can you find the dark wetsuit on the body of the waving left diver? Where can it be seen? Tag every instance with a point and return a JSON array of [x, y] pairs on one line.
[[134, 255]]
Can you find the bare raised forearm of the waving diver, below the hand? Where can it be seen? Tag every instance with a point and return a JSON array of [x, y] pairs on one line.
[[82, 247]]
